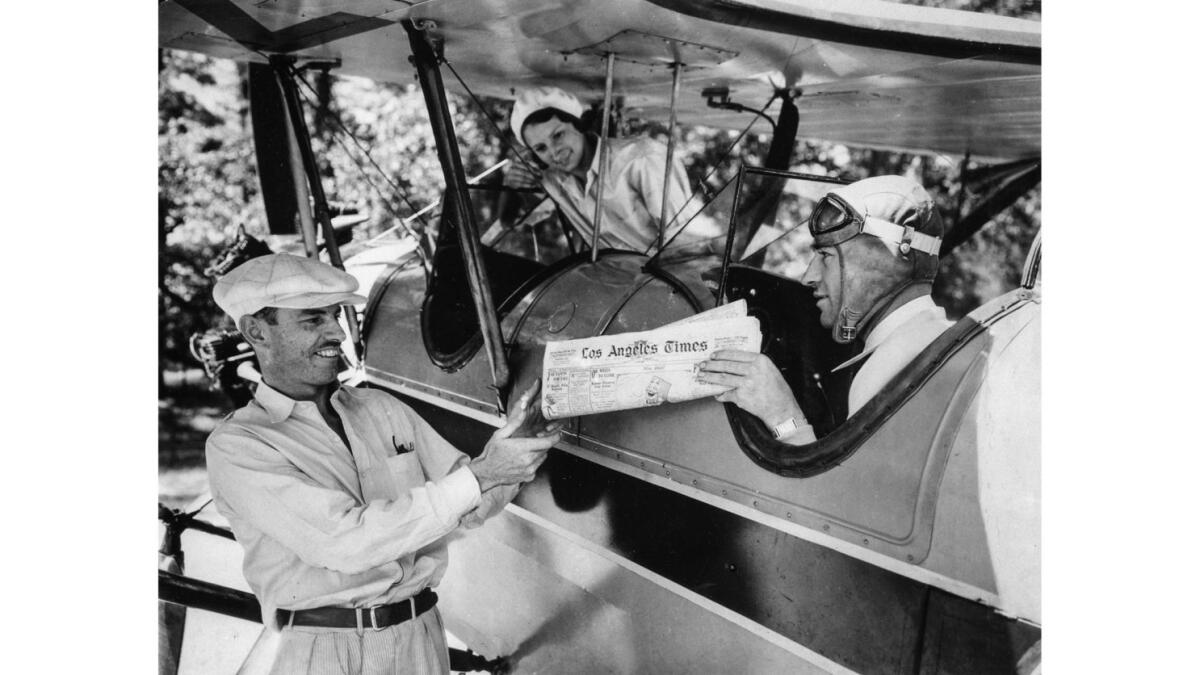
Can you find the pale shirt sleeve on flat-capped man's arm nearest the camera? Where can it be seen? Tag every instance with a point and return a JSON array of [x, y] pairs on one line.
[[327, 528]]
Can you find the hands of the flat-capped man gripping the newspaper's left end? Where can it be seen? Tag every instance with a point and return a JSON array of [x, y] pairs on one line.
[[511, 459]]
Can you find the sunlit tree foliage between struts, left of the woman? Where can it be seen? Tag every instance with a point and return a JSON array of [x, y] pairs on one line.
[[208, 184]]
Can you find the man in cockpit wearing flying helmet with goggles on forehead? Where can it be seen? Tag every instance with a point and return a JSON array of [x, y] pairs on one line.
[[877, 244]]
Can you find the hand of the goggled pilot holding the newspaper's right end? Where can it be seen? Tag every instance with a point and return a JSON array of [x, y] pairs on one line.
[[757, 386]]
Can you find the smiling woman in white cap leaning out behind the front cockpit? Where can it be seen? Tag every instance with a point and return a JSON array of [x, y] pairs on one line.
[[567, 166]]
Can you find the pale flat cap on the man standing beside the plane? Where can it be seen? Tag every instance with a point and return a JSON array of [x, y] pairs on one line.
[[281, 280]]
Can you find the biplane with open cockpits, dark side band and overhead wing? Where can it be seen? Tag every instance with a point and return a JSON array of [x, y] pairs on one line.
[[681, 539]]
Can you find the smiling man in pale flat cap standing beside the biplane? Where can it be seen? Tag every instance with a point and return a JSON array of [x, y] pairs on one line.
[[343, 498]]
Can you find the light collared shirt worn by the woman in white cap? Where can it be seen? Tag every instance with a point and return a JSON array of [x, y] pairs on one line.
[[633, 196]]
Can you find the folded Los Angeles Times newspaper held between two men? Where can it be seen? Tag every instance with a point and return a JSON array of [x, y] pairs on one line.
[[634, 371]]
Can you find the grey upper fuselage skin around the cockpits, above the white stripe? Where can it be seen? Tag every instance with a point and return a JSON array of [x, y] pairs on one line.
[[883, 499]]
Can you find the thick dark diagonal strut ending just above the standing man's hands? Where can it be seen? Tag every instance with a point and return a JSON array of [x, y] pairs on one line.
[[427, 59]]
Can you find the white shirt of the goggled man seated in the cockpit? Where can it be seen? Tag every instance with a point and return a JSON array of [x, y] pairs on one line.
[[891, 347]]
